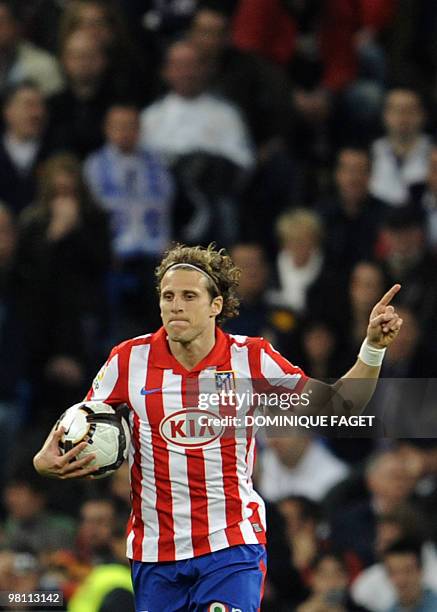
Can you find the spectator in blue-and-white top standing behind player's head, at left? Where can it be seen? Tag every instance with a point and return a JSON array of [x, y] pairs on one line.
[[136, 190]]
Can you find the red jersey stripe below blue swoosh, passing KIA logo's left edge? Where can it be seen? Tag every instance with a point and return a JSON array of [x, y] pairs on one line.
[[164, 500]]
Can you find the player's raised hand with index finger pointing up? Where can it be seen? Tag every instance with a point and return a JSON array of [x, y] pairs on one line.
[[384, 323]]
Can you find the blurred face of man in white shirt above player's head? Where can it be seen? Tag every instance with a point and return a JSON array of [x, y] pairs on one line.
[[184, 71]]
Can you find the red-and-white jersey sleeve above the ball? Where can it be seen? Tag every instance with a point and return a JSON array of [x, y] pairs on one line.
[[108, 385]]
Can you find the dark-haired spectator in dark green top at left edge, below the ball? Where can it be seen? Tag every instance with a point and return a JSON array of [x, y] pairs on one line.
[[29, 524]]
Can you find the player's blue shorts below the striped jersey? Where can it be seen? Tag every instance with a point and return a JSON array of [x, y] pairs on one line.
[[229, 580]]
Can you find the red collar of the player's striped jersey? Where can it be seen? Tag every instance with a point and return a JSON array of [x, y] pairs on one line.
[[161, 356]]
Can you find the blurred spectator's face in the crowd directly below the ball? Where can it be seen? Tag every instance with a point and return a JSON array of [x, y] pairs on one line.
[[97, 521]]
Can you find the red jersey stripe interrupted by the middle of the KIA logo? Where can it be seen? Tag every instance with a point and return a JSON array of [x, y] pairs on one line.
[[196, 478]]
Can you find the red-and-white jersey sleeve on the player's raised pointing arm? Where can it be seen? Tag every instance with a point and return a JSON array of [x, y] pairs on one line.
[[278, 374]]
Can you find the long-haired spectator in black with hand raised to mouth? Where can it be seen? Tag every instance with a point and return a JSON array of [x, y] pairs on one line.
[[63, 256]]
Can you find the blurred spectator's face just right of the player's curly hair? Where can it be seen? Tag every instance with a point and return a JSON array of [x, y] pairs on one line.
[[251, 261]]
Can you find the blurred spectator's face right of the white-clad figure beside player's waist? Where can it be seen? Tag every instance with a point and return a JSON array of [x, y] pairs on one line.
[[389, 481]]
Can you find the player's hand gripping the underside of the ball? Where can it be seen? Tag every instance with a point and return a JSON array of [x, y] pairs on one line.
[[50, 462]]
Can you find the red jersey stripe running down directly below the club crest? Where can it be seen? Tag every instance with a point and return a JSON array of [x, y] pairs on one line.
[[233, 502]]
